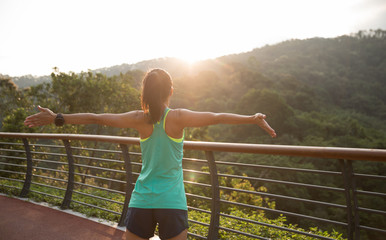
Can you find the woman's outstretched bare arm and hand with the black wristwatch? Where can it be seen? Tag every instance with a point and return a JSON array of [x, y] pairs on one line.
[[122, 120]]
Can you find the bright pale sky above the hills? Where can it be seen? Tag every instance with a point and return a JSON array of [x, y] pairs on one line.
[[77, 35]]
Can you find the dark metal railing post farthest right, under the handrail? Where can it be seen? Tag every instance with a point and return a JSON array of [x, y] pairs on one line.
[[347, 188]]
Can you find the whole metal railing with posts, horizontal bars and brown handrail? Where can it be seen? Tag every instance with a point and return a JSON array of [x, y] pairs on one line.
[[57, 160]]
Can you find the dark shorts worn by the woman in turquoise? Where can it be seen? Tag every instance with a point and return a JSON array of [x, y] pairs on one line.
[[142, 222]]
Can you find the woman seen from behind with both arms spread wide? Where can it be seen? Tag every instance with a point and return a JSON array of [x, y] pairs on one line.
[[159, 194]]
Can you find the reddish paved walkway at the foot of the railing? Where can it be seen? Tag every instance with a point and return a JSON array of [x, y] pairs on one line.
[[24, 220]]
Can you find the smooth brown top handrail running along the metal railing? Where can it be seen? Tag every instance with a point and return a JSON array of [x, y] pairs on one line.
[[288, 150]]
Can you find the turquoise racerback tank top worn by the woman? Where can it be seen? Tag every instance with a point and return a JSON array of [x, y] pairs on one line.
[[160, 183]]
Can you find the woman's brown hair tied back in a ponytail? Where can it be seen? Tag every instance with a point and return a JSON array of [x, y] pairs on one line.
[[156, 87]]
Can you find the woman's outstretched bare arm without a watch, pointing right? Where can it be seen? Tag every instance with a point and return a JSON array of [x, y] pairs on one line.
[[189, 118]]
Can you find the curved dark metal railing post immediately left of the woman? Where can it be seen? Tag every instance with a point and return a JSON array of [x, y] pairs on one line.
[[129, 182]]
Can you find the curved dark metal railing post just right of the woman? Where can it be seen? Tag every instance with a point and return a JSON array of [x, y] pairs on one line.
[[215, 208]]
